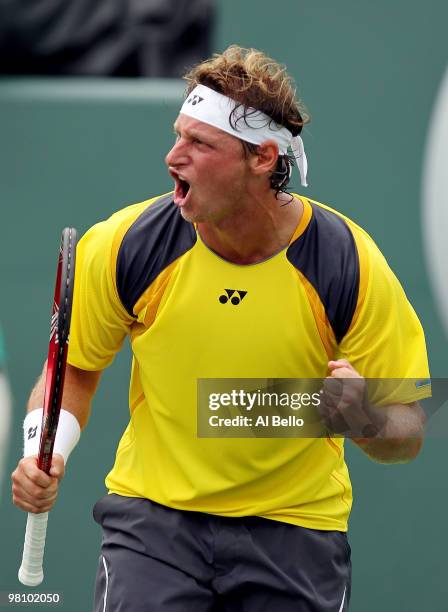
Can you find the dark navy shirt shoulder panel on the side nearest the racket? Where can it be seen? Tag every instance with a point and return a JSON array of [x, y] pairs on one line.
[[155, 239]]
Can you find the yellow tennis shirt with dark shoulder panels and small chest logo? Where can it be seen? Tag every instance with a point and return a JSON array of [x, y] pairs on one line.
[[146, 273]]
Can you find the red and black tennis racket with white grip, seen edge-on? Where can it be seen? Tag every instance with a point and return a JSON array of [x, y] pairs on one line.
[[31, 572]]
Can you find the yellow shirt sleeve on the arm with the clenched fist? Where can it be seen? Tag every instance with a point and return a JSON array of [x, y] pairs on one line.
[[386, 342]]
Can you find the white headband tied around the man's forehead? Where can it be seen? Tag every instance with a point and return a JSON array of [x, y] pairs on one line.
[[209, 106]]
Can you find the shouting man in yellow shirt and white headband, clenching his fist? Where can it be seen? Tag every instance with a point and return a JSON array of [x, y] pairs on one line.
[[231, 277]]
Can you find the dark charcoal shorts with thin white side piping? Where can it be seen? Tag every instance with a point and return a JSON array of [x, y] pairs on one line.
[[156, 559]]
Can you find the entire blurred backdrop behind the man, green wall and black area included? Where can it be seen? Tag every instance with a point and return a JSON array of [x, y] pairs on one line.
[[88, 94]]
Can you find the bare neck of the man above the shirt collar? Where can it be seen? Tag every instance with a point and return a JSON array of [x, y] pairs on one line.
[[260, 229]]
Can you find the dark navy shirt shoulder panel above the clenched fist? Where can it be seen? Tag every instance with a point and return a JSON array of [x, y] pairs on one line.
[[327, 256]]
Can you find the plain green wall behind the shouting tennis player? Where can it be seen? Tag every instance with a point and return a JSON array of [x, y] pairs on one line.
[[74, 151]]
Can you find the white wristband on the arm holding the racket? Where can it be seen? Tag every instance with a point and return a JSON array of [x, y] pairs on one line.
[[67, 434]]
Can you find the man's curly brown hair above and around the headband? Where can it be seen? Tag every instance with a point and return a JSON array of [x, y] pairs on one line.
[[254, 80]]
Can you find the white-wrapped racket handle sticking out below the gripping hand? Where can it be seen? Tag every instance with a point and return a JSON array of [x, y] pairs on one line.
[[31, 572]]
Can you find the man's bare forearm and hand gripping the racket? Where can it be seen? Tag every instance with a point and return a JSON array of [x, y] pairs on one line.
[[33, 490]]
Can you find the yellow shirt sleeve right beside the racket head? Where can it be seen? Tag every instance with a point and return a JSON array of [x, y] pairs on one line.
[[99, 323]]
